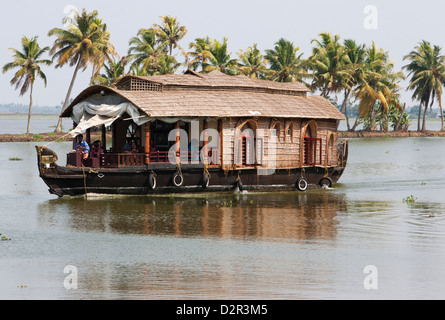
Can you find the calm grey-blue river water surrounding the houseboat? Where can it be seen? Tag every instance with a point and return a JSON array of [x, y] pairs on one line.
[[290, 245]]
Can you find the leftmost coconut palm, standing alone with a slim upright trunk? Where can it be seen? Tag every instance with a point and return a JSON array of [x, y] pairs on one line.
[[28, 63]]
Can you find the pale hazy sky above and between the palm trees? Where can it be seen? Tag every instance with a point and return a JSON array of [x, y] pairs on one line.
[[395, 26]]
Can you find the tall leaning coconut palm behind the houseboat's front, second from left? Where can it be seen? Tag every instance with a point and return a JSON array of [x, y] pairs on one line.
[[85, 40]]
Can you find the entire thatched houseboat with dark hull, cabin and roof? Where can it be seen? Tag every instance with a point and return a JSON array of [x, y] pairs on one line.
[[196, 132]]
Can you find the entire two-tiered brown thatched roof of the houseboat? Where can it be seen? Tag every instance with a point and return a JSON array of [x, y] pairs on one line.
[[216, 95]]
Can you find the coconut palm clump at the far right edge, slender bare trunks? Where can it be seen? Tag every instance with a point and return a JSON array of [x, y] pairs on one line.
[[427, 70]]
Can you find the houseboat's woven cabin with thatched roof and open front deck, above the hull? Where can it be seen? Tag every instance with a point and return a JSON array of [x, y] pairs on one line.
[[213, 120]]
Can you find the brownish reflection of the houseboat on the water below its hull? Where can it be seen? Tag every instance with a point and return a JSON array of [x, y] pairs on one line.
[[285, 215]]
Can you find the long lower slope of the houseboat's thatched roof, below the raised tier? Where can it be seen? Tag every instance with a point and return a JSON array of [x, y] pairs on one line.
[[214, 103]]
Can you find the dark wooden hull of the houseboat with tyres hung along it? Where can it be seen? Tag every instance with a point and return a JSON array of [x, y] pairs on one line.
[[158, 178]]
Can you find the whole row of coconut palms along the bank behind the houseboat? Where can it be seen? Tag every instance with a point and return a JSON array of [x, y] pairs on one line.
[[360, 79]]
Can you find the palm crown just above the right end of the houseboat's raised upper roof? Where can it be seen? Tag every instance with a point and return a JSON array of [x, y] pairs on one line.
[[283, 60]]
